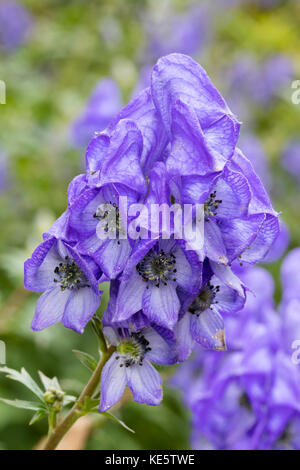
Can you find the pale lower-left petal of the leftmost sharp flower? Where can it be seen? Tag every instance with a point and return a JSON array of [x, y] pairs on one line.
[[50, 308]]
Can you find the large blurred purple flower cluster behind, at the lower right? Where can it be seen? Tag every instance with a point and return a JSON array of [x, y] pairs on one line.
[[248, 396]]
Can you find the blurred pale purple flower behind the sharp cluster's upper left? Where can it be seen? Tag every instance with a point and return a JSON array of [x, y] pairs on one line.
[[104, 103]]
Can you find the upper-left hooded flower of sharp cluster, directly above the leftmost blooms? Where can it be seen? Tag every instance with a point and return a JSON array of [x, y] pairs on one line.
[[100, 213]]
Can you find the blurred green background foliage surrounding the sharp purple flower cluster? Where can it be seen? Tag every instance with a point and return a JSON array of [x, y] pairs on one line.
[[71, 45]]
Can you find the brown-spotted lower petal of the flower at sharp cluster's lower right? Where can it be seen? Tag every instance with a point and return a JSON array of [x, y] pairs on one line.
[[208, 330]]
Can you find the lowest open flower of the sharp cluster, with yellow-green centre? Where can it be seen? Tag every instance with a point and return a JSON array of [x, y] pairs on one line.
[[131, 365]]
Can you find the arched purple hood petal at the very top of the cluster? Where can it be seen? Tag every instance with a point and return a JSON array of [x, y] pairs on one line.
[[177, 77]]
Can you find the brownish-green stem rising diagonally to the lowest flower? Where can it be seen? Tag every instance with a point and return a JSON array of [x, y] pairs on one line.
[[76, 412]]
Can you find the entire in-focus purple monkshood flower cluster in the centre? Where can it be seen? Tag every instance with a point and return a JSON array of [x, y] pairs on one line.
[[175, 144]]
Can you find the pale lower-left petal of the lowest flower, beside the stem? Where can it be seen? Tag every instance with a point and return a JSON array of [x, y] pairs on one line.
[[113, 383]]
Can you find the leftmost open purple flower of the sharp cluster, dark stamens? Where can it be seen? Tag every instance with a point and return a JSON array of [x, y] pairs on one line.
[[70, 282]]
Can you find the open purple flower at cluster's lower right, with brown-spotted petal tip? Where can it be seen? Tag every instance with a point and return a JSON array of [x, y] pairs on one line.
[[202, 320]]
